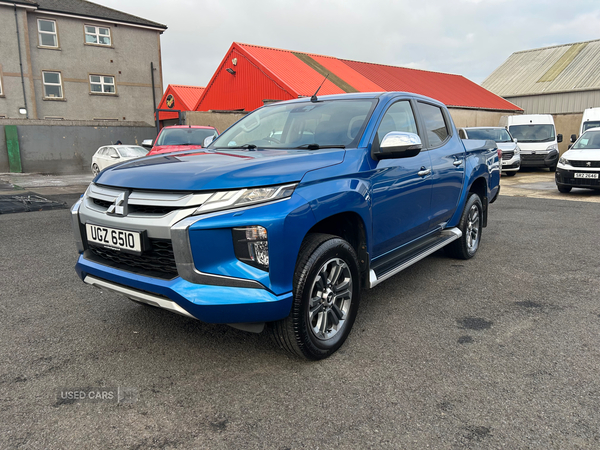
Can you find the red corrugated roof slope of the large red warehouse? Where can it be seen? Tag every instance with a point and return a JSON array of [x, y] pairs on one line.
[[302, 76]]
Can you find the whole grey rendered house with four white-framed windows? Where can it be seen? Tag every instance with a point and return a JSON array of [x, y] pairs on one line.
[[76, 60]]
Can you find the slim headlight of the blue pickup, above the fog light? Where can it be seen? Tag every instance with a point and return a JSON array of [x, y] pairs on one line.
[[244, 197]]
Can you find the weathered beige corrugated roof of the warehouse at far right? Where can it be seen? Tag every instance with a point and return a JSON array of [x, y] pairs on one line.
[[562, 68]]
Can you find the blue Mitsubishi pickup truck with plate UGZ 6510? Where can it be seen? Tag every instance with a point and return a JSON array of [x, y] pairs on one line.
[[283, 219]]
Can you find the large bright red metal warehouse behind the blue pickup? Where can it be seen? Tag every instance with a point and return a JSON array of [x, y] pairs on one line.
[[250, 76]]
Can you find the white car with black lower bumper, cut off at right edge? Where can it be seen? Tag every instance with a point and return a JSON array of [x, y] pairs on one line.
[[580, 165]]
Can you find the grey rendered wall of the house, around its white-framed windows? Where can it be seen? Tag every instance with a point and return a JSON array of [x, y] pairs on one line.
[[127, 60]]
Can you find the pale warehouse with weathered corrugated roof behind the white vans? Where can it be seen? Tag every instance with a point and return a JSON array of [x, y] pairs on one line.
[[562, 79]]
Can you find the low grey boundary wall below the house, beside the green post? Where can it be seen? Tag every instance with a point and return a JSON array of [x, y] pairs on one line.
[[67, 147]]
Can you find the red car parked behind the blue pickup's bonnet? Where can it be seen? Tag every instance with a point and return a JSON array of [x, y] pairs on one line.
[[182, 137]]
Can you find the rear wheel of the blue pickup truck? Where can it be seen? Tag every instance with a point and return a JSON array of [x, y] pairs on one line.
[[471, 225]]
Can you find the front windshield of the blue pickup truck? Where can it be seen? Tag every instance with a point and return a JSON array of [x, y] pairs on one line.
[[329, 123]]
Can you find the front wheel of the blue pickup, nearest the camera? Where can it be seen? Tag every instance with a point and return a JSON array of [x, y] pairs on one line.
[[326, 298]]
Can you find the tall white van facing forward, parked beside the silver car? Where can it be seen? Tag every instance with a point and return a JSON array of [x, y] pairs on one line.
[[537, 139]]
